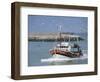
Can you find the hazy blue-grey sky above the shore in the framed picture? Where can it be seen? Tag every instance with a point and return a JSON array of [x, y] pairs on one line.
[[44, 24]]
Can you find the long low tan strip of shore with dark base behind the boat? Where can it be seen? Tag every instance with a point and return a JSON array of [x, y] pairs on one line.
[[53, 37]]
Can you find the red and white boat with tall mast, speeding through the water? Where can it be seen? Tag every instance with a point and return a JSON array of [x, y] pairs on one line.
[[67, 49]]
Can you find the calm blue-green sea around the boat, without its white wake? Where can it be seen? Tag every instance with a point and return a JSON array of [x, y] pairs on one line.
[[40, 50]]
